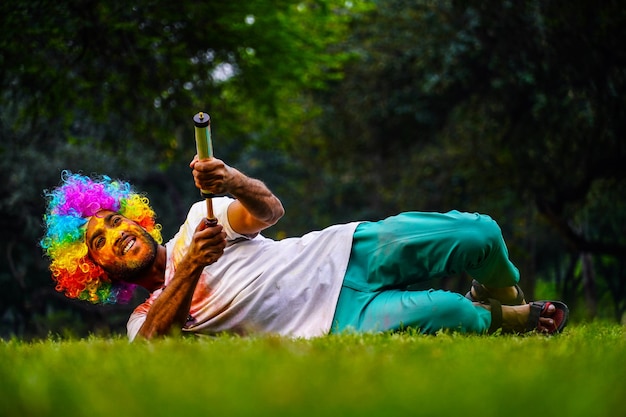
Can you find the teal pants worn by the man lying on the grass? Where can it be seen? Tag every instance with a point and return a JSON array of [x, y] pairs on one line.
[[390, 255]]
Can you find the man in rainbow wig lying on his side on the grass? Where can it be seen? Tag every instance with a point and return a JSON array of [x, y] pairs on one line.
[[102, 240]]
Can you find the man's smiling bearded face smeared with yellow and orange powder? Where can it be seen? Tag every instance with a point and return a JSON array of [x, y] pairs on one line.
[[119, 245]]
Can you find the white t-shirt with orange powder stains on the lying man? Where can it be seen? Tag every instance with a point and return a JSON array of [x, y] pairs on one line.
[[288, 287]]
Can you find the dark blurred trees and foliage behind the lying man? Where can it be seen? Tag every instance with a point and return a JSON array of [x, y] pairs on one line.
[[347, 110]]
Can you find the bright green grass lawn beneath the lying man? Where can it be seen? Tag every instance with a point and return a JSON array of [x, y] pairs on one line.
[[579, 373]]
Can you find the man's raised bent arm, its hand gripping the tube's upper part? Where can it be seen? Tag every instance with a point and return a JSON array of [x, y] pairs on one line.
[[256, 207]]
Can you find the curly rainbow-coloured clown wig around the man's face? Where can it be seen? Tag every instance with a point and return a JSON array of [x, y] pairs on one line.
[[69, 207]]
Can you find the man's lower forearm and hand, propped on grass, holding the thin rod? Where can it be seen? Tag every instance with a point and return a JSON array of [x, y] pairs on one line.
[[171, 309]]
